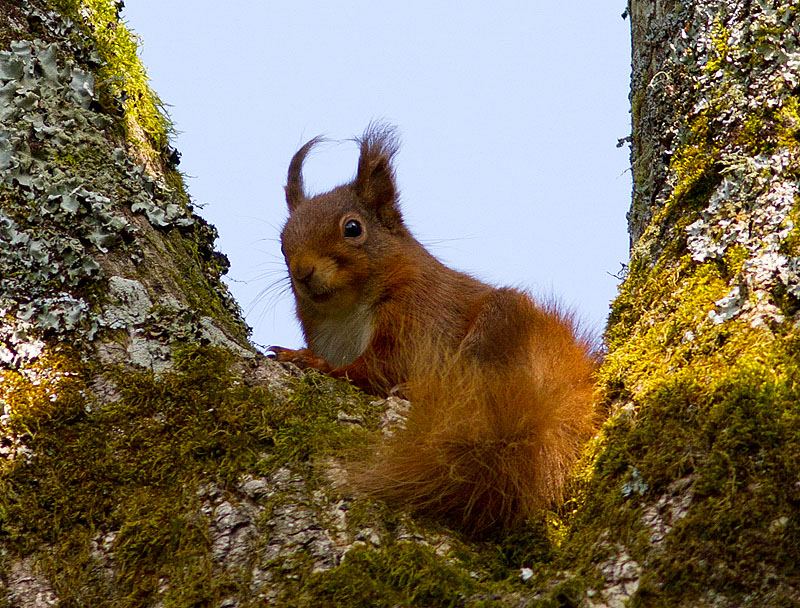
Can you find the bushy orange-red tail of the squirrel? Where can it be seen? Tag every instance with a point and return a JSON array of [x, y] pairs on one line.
[[488, 445]]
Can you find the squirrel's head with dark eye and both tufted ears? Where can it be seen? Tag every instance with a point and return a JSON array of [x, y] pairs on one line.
[[335, 243]]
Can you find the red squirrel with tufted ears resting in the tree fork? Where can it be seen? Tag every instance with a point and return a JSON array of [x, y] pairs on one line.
[[501, 386]]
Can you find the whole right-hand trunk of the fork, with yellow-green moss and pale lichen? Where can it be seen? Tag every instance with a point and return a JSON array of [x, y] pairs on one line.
[[696, 479]]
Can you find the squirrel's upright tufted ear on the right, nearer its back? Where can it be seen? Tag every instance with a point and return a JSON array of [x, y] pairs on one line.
[[374, 184]]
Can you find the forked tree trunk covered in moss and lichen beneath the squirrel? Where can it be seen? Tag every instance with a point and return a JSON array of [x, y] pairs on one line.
[[150, 457]]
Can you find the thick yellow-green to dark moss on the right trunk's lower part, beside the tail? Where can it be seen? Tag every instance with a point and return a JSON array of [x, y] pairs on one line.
[[714, 405]]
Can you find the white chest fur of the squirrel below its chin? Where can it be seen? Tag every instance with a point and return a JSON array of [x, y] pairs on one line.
[[340, 339]]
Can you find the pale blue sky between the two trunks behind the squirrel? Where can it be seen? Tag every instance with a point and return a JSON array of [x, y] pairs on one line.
[[509, 112]]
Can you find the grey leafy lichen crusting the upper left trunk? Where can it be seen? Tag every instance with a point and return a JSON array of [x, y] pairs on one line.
[[76, 211]]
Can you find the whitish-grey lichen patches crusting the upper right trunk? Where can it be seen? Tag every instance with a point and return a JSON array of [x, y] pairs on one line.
[[730, 149]]
